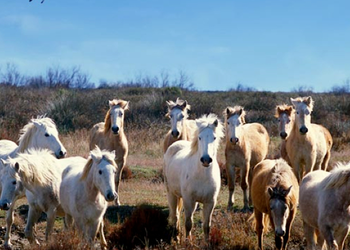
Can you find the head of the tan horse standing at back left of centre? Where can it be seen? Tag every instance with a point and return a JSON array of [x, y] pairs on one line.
[[116, 115]]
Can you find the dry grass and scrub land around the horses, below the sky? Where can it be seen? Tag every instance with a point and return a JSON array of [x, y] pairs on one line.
[[139, 221]]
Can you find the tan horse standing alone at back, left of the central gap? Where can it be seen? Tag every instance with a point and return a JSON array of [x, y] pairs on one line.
[[110, 135]]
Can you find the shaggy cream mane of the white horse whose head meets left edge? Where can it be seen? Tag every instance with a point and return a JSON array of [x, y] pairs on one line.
[[37, 167]]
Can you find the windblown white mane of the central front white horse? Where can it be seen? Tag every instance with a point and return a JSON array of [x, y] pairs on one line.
[[204, 122]]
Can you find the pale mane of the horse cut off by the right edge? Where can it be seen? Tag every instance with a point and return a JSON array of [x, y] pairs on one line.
[[339, 176]]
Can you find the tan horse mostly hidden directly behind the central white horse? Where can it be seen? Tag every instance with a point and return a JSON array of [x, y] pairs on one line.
[[181, 127]]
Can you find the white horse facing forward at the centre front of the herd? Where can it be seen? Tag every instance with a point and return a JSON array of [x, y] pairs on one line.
[[192, 173]]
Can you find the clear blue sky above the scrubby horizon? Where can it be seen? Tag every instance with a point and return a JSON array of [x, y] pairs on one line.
[[273, 45]]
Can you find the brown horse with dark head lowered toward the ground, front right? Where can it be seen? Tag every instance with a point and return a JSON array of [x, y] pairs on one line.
[[275, 192]]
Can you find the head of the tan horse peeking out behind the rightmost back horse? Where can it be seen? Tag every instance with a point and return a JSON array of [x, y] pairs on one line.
[[284, 114]]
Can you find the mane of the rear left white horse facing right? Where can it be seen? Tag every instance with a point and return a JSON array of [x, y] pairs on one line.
[[28, 131]]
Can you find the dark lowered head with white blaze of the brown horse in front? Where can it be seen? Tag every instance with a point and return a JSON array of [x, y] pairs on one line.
[[279, 208]]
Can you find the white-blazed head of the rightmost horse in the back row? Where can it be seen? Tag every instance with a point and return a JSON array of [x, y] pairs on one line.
[[303, 107]]
